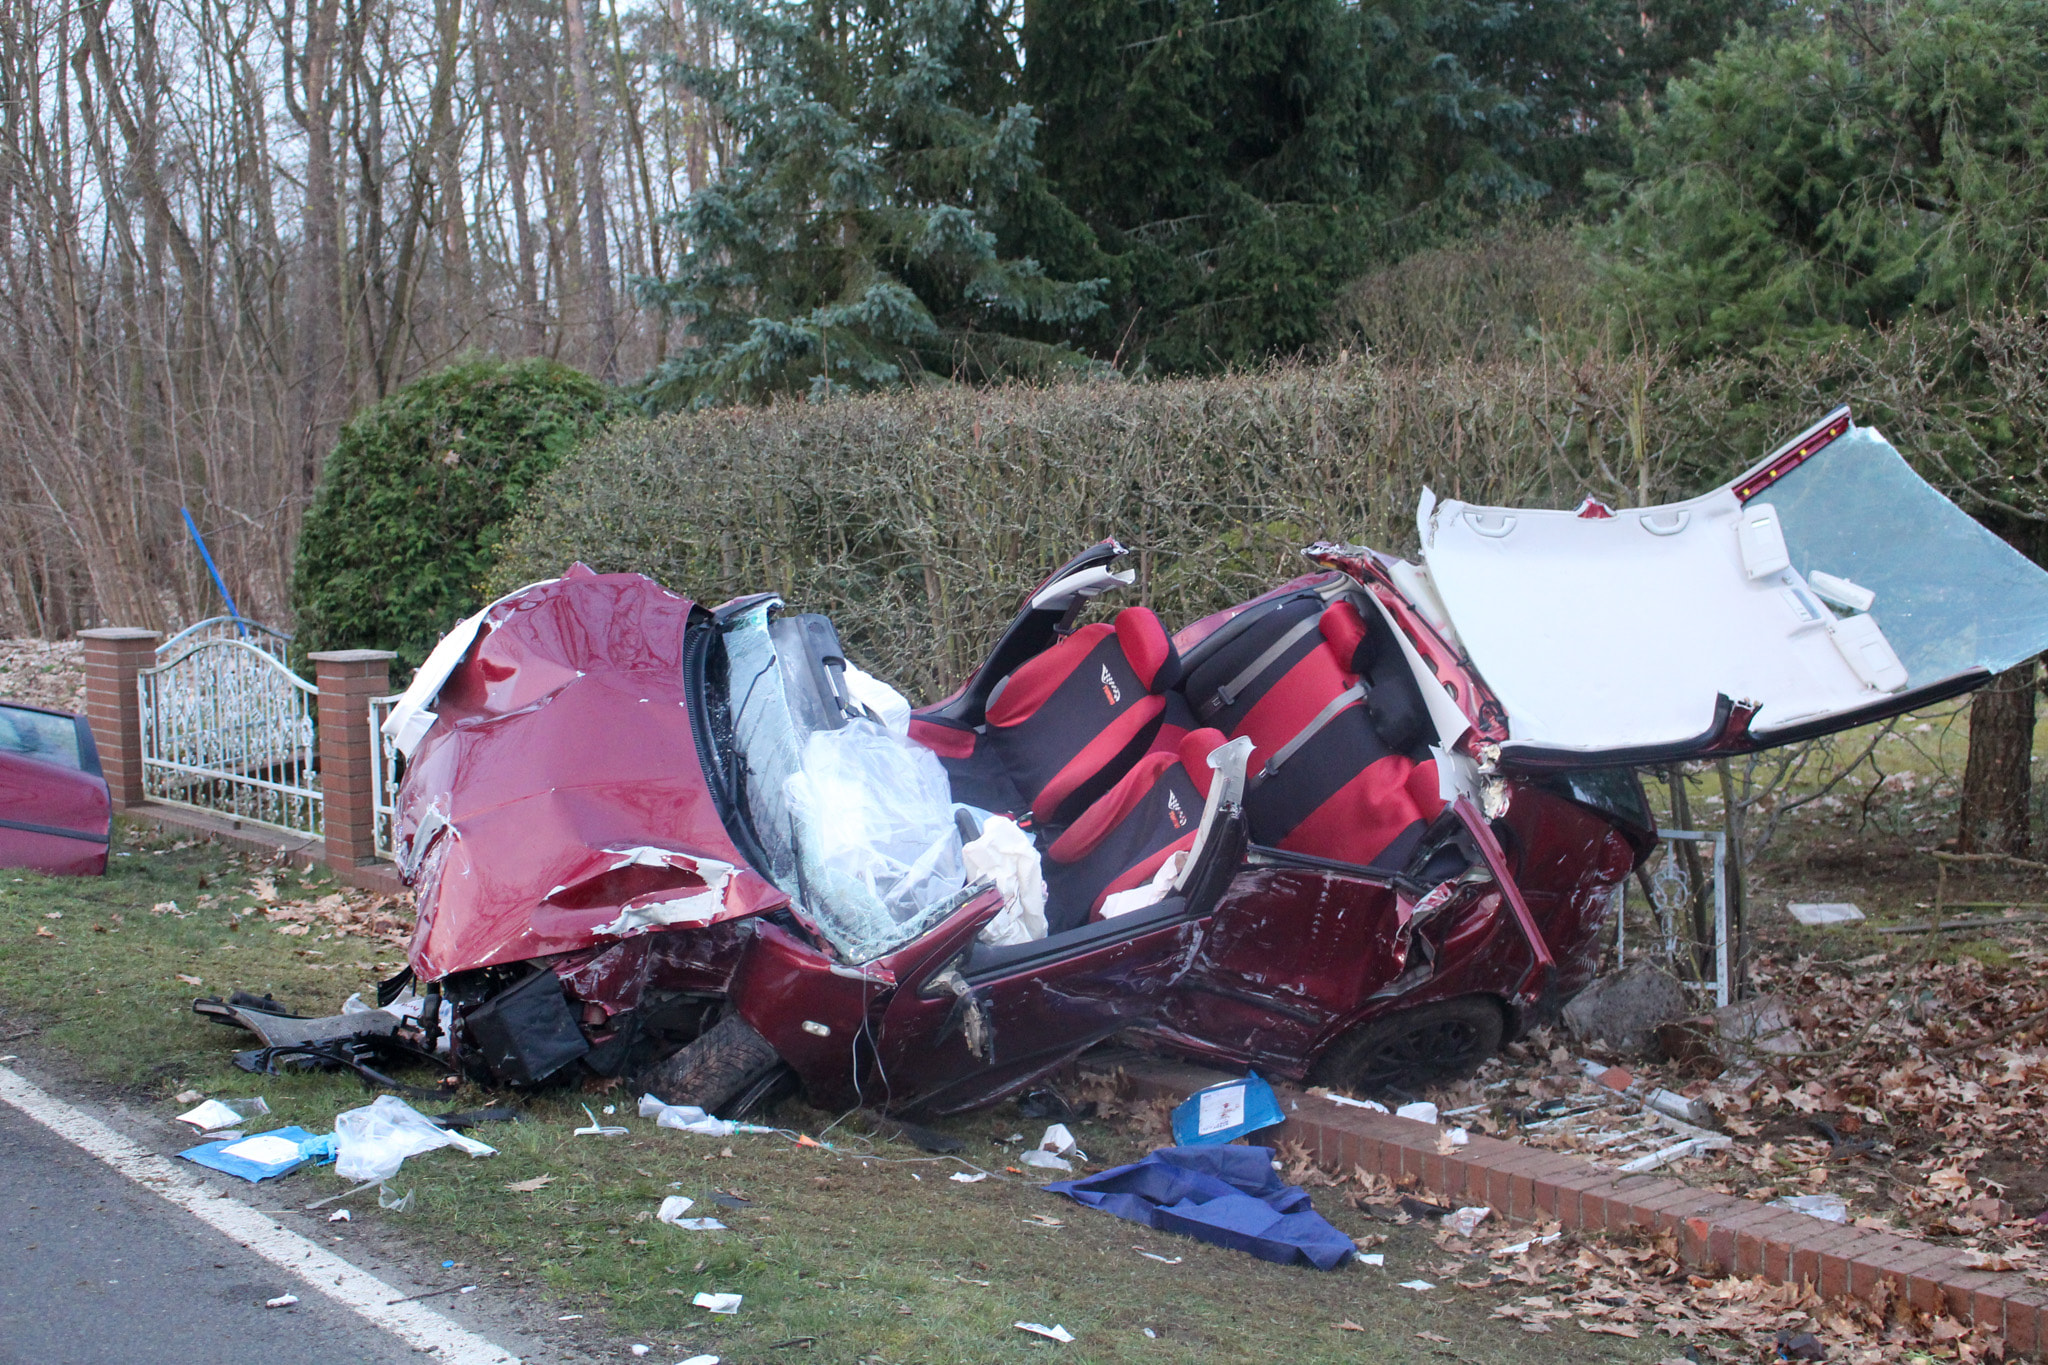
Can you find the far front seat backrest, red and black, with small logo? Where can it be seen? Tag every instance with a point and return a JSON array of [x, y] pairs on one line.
[[1066, 725]]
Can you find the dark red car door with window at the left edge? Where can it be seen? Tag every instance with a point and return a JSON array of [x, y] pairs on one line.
[[56, 813]]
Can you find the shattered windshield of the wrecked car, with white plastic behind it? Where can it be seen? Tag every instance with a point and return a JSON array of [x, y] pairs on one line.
[[855, 822]]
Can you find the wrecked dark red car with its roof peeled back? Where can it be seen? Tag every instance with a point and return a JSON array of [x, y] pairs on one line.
[[1363, 828]]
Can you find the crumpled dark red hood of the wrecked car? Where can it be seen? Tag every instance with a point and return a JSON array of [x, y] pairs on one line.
[[556, 801]]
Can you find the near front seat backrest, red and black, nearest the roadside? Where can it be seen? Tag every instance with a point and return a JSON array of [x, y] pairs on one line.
[[1129, 832]]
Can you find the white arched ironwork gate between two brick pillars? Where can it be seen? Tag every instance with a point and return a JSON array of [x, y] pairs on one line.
[[228, 728]]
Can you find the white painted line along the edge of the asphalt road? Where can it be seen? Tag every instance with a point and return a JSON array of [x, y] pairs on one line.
[[366, 1294]]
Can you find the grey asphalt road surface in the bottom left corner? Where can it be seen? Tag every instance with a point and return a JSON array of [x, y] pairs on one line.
[[95, 1268]]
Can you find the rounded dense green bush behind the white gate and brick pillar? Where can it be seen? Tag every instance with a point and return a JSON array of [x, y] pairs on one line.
[[404, 529]]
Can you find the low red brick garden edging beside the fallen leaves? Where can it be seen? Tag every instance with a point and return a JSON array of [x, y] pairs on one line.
[[1715, 1233]]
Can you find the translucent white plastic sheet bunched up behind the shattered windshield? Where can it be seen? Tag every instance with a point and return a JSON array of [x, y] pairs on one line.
[[876, 836]]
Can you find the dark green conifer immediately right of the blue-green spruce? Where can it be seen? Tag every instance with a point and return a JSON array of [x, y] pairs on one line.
[[1242, 159]]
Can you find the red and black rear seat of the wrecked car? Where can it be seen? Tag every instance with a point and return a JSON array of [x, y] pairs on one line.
[[1340, 732]]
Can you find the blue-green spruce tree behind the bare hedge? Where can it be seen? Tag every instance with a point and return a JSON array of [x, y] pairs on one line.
[[857, 243]]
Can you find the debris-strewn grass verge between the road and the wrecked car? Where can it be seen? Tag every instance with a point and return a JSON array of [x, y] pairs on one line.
[[859, 1253]]
